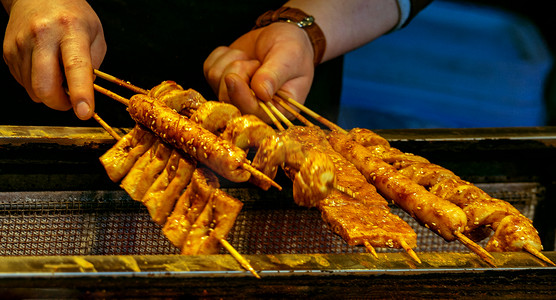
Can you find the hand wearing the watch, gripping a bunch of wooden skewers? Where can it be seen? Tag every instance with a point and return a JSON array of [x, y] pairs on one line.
[[258, 64]]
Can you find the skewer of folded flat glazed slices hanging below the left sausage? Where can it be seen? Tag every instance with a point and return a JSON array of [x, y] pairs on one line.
[[202, 216]]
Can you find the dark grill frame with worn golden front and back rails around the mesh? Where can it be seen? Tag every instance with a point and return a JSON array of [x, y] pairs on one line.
[[65, 160]]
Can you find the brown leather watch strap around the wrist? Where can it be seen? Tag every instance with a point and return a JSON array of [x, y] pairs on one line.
[[301, 19]]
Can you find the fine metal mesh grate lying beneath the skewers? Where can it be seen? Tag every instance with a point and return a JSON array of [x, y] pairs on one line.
[[110, 223]]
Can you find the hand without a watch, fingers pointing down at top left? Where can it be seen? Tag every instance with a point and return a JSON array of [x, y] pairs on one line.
[[52, 43]]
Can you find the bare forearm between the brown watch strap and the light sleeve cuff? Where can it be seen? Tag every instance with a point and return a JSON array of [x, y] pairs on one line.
[[350, 24]]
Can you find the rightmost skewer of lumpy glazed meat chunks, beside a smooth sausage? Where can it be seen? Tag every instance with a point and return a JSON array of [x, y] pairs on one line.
[[512, 230]]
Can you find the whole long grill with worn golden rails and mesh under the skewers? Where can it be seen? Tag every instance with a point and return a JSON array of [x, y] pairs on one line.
[[65, 229]]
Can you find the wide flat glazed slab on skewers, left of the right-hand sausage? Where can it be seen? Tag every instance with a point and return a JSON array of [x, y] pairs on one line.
[[364, 218]]
